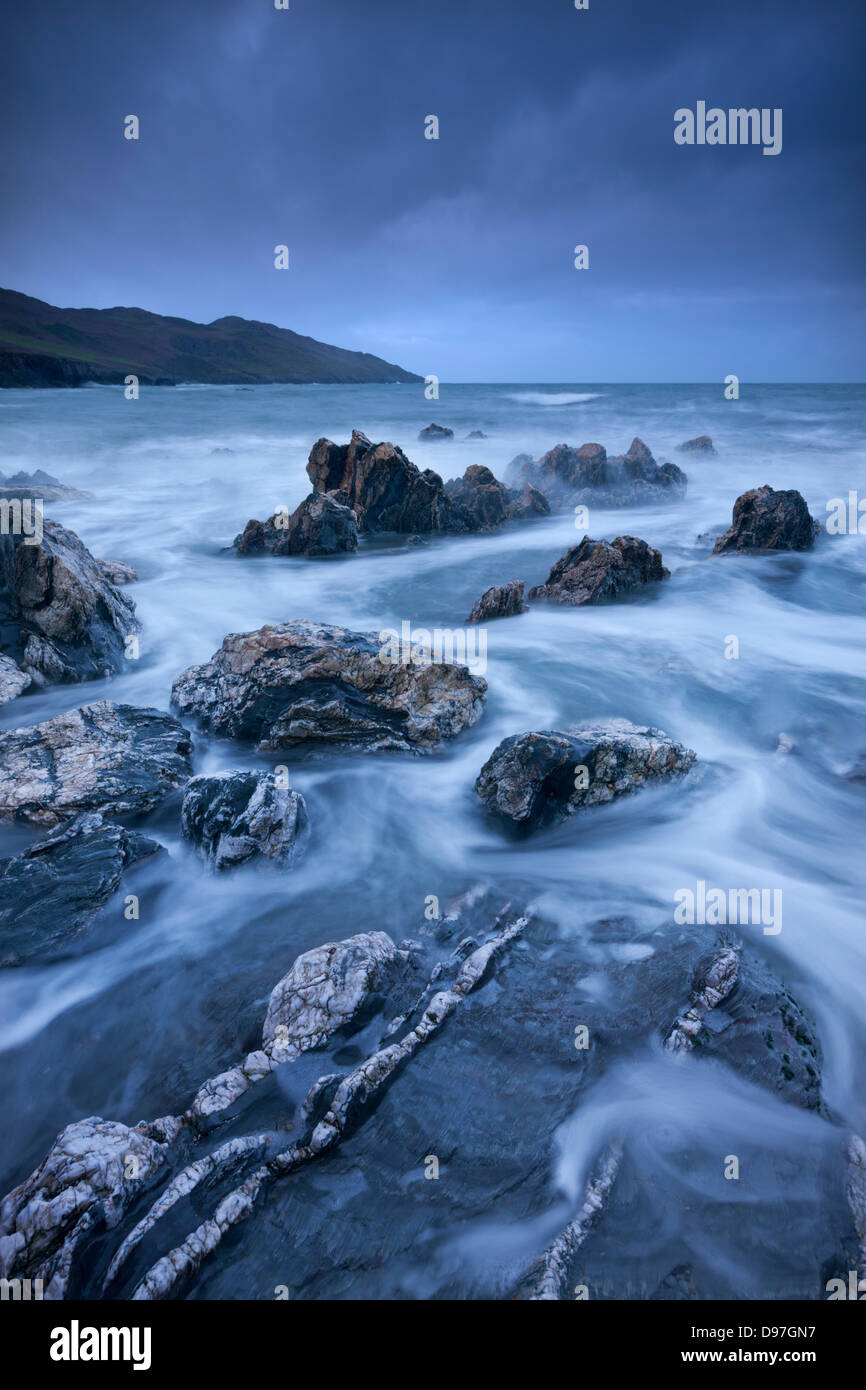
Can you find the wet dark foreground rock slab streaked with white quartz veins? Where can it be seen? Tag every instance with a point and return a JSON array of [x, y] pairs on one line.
[[501, 1006]]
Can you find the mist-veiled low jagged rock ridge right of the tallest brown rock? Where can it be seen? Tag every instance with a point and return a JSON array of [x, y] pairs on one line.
[[569, 476]]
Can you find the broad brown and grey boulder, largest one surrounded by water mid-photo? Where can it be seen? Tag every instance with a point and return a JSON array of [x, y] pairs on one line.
[[312, 683]]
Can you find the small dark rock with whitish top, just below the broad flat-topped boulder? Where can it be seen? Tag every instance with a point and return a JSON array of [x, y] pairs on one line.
[[244, 817]]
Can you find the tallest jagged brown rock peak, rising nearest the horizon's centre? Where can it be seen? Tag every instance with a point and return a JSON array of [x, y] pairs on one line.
[[382, 486]]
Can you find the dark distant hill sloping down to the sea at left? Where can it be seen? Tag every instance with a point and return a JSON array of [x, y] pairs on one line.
[[47, 347]]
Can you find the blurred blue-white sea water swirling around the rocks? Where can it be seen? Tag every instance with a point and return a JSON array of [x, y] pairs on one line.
[[131, 1025]]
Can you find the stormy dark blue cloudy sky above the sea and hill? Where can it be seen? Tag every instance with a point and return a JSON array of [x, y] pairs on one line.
[[454, 256]]
